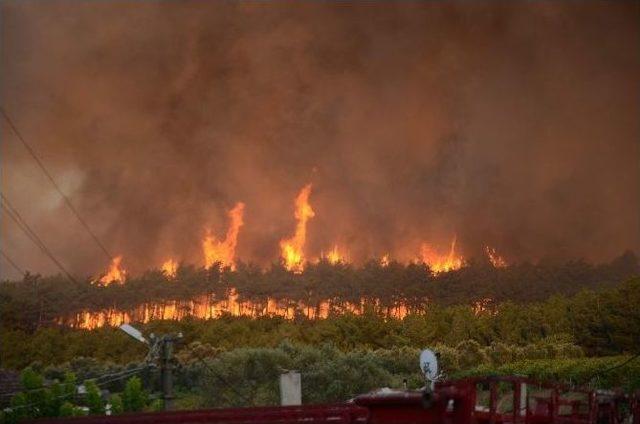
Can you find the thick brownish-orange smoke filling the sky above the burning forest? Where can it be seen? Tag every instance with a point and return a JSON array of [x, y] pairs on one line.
[[512, 125]]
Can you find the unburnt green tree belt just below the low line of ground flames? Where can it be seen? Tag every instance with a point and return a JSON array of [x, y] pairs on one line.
[[604, 322]]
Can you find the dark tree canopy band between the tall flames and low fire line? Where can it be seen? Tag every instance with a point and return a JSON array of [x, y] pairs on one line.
[[37, 301]]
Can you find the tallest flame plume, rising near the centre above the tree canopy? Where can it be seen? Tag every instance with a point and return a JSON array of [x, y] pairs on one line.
[[293, 248]]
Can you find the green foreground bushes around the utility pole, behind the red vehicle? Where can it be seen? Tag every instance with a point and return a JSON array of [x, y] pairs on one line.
[[213, 377]]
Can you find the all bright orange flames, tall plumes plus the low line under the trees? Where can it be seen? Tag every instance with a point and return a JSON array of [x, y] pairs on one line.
[[220, 254]]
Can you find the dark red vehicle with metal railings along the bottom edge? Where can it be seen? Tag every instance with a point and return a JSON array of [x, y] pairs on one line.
[[492, 400]]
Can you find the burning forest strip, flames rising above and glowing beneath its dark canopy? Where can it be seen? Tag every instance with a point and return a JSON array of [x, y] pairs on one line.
[[302, 284]]
